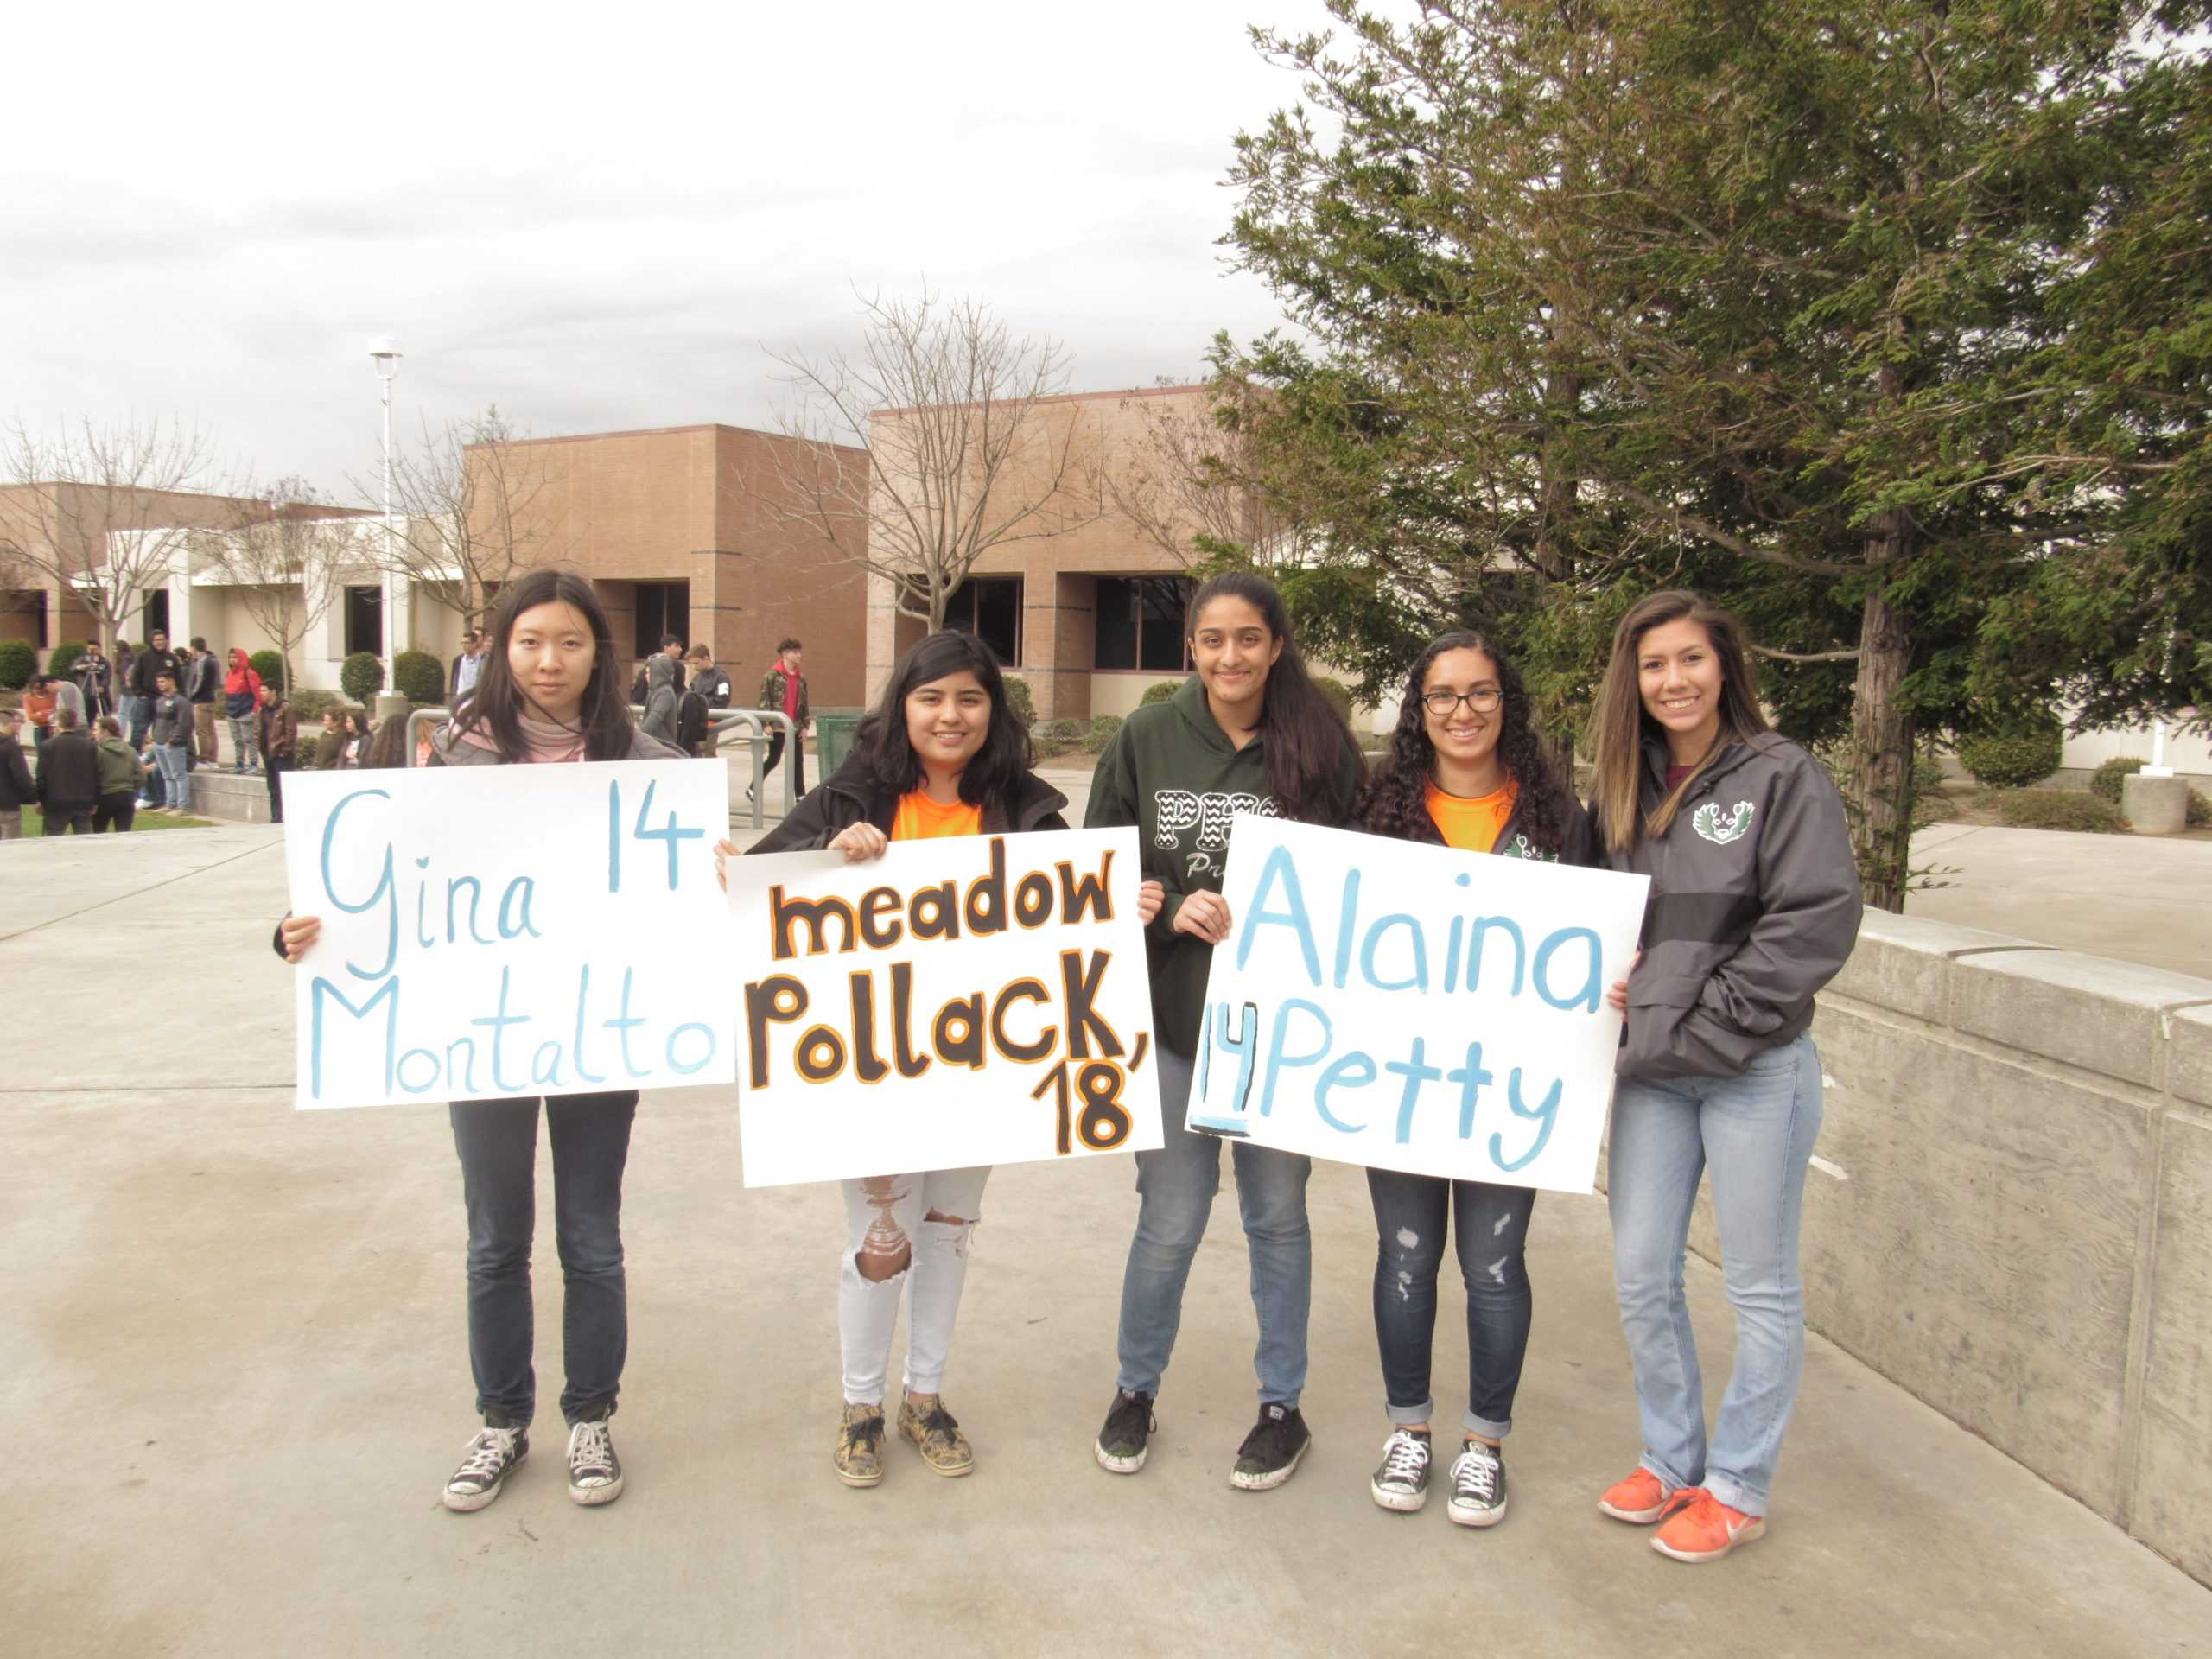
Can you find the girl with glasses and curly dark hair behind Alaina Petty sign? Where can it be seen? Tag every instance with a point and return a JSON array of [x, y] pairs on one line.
[[1465, 771]]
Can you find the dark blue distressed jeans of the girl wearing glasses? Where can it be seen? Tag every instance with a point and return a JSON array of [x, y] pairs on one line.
[[1492, 1235]]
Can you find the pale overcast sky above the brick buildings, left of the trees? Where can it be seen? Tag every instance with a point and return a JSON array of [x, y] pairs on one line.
[[596, 216]]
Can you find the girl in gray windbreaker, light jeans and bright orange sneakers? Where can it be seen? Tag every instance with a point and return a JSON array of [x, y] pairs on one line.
[[1753, 910]]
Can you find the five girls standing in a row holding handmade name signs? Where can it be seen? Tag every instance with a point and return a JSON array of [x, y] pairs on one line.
[[1755, 906]]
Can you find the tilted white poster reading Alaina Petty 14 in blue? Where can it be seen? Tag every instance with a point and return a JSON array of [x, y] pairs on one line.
[[1415, 1008]]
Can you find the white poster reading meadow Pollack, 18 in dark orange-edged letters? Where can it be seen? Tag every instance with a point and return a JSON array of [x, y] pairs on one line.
[[959, 1001]]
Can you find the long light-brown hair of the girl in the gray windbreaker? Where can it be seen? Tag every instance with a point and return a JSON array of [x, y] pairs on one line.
[[1623, 722]]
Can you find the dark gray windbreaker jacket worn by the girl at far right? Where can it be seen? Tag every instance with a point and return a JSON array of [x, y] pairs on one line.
[[1755, 908]]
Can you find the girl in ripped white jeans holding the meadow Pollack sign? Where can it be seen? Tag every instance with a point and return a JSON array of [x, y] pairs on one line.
[[941, 755]]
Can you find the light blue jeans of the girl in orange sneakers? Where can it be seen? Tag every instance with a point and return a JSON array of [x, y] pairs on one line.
[[1755, 1134]]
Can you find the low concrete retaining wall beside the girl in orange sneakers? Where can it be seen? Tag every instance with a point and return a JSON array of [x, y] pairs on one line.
[[2018, 1215]]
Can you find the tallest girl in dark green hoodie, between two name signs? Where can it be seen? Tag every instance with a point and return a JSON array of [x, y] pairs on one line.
[[1249, 733]]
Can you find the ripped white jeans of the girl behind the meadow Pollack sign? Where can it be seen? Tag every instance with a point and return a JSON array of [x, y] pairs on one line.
[[904, 1233]]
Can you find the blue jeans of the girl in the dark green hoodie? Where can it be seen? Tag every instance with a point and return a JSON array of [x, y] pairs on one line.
[[1176, 1196]]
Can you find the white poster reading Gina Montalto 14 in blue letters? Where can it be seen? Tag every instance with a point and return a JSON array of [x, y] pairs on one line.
[[510, 930]]
